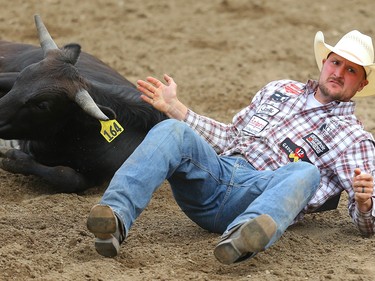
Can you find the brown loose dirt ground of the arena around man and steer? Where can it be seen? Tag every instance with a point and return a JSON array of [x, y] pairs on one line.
[[220, 52]]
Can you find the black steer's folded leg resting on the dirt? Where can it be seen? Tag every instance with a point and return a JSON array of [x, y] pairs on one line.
[[64, 179]]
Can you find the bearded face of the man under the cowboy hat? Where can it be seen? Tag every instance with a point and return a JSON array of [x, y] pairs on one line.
[[339, 79]]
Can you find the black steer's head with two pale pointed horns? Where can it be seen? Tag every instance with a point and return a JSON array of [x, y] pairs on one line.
[[45, 93]]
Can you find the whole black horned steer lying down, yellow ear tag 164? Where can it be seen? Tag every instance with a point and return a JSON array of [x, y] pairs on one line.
[[54, 101]]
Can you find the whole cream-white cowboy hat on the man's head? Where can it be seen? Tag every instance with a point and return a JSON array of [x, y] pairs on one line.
[[355, 47]]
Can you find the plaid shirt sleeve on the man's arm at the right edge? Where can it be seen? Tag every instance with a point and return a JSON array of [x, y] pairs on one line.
[[359, 155]]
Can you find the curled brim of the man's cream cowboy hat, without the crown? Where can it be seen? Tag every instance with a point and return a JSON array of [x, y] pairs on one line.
[[322, 50]]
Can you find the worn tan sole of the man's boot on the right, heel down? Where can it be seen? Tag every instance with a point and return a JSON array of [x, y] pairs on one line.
[[252, 237]]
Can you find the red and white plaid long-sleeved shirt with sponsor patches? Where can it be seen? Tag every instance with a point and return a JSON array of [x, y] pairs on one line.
[[278, 128]]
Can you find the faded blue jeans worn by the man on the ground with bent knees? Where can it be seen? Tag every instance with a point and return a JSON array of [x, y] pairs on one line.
[[216, 192]]
